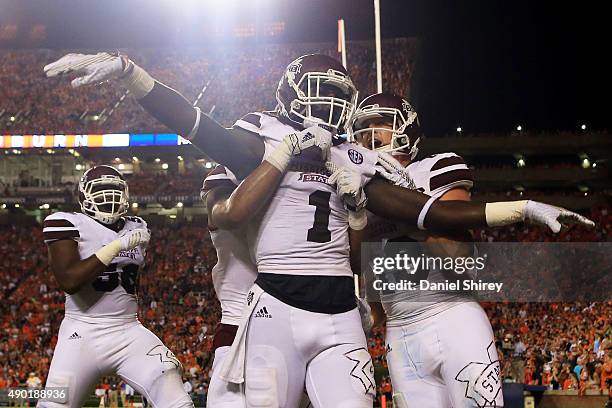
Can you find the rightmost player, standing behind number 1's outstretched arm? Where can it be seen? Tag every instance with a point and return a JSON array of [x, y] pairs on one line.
[[437, 342]]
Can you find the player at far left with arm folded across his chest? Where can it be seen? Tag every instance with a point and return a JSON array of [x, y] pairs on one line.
[[96, 256]]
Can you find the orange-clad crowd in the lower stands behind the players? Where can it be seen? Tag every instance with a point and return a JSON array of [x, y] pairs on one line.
[[559, 345]]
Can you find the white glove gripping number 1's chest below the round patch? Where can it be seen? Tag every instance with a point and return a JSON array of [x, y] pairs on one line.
[[349, 187]]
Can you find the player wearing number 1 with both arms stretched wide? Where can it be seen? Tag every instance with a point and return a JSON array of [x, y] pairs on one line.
[[303, 324]]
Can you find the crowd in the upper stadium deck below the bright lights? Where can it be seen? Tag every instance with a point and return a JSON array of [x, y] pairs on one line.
[[251, 73]]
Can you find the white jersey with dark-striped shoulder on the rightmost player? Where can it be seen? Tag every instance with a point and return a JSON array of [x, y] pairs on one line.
[[434, 176]]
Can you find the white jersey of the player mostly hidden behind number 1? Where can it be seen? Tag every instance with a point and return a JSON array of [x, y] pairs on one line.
[[234, 273]]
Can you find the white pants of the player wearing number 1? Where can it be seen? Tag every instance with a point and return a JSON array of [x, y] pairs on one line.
[[287, 348]]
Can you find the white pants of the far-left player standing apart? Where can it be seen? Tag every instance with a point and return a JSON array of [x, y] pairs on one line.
[[85, 352]]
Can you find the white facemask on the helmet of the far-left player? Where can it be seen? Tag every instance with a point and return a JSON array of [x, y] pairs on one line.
[[105, 198]]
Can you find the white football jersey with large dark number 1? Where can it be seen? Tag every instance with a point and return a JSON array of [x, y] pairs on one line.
[[304, 230]]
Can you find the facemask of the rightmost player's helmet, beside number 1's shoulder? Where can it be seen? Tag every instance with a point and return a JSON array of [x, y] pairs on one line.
[[403, 128]]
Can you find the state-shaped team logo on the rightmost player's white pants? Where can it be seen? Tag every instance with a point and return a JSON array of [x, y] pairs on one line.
[[482, 379]]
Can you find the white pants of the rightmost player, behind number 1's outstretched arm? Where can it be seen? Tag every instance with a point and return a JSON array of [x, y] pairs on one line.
[[447, 360]]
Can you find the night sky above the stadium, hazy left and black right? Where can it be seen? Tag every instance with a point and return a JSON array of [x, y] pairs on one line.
[[484, 65]]
